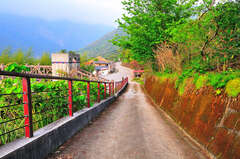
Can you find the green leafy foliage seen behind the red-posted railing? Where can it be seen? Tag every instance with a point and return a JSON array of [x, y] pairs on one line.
[[49, 100]]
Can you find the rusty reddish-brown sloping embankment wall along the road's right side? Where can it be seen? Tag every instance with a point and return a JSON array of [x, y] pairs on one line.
[[214, 121]]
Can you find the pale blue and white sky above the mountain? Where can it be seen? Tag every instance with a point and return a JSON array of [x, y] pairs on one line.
[[103, 12]]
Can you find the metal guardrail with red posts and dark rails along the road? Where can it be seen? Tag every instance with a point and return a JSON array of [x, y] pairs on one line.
[[46, 99]]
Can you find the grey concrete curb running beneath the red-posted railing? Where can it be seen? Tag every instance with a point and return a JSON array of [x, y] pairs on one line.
[[50, 137]]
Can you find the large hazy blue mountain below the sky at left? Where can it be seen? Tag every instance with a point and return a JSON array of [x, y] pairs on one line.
[[42, 35]]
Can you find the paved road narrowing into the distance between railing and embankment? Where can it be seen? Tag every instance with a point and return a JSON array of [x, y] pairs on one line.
[[130, 129]]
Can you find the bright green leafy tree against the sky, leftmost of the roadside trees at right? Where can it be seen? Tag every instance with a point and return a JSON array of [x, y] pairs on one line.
[[147, 24]]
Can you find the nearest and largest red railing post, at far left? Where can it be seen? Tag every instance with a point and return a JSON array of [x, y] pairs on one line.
[[27, 100]]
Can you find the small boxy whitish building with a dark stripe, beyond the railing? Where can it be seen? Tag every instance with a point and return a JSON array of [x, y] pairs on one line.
[[65, 63]]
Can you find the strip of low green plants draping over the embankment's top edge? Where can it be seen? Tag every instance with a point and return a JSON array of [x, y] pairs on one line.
[[219, 81]]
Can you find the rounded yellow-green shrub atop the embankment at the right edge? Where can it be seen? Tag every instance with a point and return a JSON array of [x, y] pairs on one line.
[[233, 87]]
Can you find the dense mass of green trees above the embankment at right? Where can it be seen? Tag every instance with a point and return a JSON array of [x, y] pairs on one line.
[[203, 32]]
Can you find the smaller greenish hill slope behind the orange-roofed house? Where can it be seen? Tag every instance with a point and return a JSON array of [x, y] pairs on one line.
[[102, 46]]
